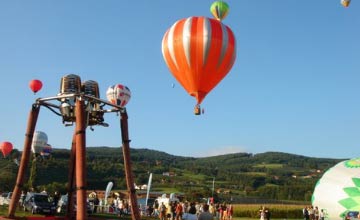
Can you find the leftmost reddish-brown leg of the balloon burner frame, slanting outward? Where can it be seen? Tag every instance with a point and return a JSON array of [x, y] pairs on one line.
[[33, 115]]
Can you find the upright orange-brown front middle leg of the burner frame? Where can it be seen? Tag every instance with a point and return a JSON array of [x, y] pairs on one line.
[[80, 172]]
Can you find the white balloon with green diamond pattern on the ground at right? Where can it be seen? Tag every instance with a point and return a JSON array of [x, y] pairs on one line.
[[337, 191]]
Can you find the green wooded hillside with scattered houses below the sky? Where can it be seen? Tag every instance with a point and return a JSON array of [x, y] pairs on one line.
[[271, 175]]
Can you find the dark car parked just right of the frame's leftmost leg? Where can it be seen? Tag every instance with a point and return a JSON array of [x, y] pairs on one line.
[[39, 203]]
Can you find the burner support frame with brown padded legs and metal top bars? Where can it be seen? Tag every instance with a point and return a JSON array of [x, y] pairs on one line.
[[83, 116]]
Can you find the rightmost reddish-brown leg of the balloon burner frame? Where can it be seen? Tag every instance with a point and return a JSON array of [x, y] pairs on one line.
[[127, 163]]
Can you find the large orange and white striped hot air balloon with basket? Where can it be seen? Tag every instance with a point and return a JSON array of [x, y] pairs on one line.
[[199, 52]]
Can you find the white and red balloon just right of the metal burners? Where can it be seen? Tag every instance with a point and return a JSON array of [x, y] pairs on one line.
[[118, 95]]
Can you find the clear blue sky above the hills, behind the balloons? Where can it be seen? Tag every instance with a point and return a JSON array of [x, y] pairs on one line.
[[294, 86]]
